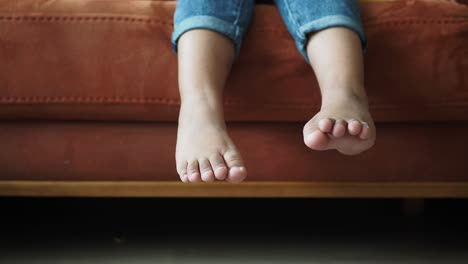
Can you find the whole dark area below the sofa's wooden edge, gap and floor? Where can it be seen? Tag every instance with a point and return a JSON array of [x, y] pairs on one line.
[[43, 229]]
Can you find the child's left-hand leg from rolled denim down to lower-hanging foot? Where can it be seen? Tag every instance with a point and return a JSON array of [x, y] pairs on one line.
[[207, 37]]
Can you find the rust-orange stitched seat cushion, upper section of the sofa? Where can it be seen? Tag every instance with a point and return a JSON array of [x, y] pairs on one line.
[[112, 60]]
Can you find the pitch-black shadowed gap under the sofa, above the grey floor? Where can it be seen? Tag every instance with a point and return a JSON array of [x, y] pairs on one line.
[[24, 218]]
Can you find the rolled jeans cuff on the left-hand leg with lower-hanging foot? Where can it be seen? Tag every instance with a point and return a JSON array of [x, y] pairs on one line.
[[207, 22]]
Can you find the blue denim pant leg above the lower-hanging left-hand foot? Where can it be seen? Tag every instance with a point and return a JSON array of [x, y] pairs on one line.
[[227, 17]]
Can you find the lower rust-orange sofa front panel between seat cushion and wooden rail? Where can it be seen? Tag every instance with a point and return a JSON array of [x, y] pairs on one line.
[[114, 151]]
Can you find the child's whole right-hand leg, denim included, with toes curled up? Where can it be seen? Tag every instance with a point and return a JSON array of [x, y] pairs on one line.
[[330, 36]]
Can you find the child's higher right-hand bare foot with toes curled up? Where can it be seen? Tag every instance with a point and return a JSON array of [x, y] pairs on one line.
[[343, 123]]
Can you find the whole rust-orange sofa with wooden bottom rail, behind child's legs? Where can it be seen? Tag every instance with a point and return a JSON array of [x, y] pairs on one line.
[[89, 104]]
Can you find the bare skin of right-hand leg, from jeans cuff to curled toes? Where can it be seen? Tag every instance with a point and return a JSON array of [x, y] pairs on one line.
[[344, 122]]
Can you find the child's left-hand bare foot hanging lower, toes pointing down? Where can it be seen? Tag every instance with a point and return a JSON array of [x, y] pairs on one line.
[[204, 150]]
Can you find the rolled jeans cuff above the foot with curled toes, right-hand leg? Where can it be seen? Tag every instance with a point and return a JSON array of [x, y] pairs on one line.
[[328, 22]]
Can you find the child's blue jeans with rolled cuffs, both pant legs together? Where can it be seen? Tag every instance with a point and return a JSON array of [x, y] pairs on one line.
[[232, 17]]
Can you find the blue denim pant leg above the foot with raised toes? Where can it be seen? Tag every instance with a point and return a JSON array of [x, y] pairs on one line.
[[303, 17]]
